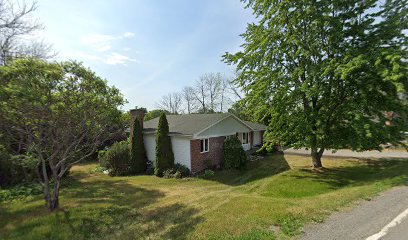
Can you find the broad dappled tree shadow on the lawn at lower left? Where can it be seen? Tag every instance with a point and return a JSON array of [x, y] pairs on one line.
[[105, 209]]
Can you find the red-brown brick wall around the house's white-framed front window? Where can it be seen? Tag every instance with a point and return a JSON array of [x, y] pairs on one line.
[[215, 153]]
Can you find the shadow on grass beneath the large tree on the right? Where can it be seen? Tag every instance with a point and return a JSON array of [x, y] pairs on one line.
[[361, 172]]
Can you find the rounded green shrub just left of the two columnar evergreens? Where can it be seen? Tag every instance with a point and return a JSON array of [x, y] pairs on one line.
[[117, 158]]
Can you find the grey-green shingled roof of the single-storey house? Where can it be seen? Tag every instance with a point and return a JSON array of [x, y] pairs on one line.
[[190, 124]]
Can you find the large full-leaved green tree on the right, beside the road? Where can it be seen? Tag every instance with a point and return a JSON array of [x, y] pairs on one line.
[[326, 74]]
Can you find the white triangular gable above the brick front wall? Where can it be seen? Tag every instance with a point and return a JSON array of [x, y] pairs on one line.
[[228, 126]]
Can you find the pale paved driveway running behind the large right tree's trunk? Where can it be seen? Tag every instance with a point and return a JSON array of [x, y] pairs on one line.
[[349, 153]]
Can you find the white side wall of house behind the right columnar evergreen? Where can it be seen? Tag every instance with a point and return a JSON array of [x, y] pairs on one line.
[[181, 149]]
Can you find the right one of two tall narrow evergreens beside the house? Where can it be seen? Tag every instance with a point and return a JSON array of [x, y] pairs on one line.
[[164, 151]]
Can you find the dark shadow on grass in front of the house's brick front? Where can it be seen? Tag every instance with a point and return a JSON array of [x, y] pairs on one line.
[[268, 166]]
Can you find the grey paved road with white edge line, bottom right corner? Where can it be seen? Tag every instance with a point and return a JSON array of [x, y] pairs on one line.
[[384, 217]]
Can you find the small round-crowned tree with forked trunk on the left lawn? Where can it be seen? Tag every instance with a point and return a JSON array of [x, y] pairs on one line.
[[59, 113]]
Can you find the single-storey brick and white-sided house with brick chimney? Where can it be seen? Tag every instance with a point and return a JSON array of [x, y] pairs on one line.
[[199, 138]]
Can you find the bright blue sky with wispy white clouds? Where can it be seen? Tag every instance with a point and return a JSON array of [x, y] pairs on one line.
[[145, 48]]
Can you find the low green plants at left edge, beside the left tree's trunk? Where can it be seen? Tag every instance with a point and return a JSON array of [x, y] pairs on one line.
[[20, 192]]
